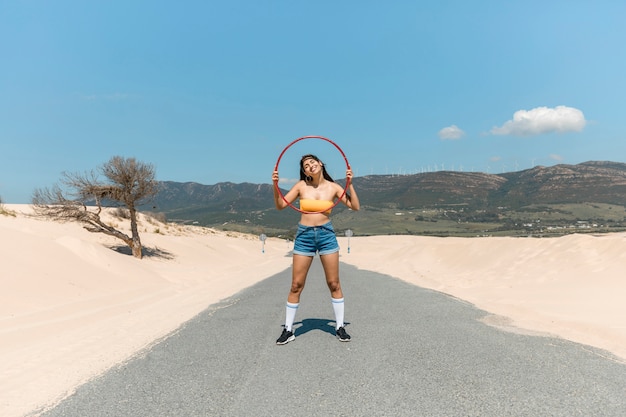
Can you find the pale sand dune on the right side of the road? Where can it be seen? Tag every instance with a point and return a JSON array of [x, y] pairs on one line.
[[572, 287]]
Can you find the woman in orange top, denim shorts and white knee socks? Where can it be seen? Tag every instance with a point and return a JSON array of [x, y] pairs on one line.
[[317, 192]]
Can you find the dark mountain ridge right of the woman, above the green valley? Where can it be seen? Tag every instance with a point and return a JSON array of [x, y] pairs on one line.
[[601, 182]]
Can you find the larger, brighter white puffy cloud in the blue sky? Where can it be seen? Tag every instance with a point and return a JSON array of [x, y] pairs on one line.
[[543, 120]]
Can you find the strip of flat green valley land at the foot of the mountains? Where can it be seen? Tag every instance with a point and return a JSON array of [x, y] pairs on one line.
[[533, 220]]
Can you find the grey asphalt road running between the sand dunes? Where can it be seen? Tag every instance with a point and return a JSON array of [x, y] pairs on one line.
[[414, 352]]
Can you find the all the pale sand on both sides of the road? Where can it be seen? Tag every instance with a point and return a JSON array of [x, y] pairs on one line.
[[71, 308]]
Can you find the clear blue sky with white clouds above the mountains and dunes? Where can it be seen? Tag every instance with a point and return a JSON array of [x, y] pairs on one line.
[[211, 91]]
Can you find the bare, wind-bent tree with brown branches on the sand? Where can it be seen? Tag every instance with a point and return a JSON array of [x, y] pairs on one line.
[[128, 182]]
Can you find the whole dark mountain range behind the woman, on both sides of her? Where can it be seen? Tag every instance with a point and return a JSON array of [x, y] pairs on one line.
[[250, 207]]
